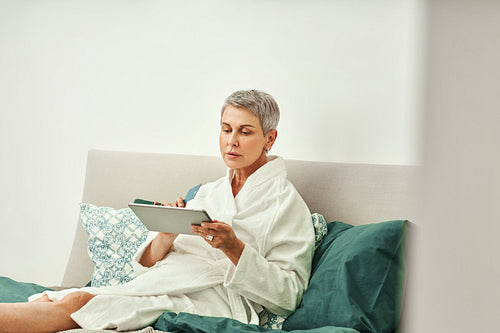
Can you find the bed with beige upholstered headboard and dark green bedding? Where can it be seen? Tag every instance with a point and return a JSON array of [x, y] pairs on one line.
[[359, 272]]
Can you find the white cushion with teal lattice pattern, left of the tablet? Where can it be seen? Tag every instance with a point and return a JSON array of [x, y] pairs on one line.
[[114, 237]]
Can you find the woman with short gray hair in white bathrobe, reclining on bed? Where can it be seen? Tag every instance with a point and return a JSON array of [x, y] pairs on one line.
[[256, 254]]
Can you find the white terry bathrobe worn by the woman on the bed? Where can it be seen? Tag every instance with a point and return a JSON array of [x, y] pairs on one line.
[[268, 215]]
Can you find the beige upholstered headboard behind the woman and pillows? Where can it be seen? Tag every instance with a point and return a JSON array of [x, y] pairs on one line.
[[352, 193]]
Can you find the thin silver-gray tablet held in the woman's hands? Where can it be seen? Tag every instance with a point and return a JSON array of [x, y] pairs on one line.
[[175, 220]]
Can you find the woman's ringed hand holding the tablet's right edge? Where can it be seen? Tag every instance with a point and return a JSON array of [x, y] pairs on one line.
[[221, 236]]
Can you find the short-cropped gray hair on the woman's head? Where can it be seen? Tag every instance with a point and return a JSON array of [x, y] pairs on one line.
[[259, 103]]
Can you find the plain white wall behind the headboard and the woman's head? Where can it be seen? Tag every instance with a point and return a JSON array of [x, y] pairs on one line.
[[152, 75]]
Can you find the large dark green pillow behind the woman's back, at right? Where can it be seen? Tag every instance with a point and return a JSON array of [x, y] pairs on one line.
[[356, 279]]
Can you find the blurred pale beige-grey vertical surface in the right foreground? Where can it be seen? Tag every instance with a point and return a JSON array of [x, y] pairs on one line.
[[455, 278]]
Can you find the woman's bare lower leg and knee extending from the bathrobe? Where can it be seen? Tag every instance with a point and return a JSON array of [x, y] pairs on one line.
[[42, 316]]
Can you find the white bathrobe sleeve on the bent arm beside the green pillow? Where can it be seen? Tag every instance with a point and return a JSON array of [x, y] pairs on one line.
[[277, 277]]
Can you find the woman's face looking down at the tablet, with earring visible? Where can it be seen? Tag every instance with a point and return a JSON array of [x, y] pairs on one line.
[[242, 141]]
